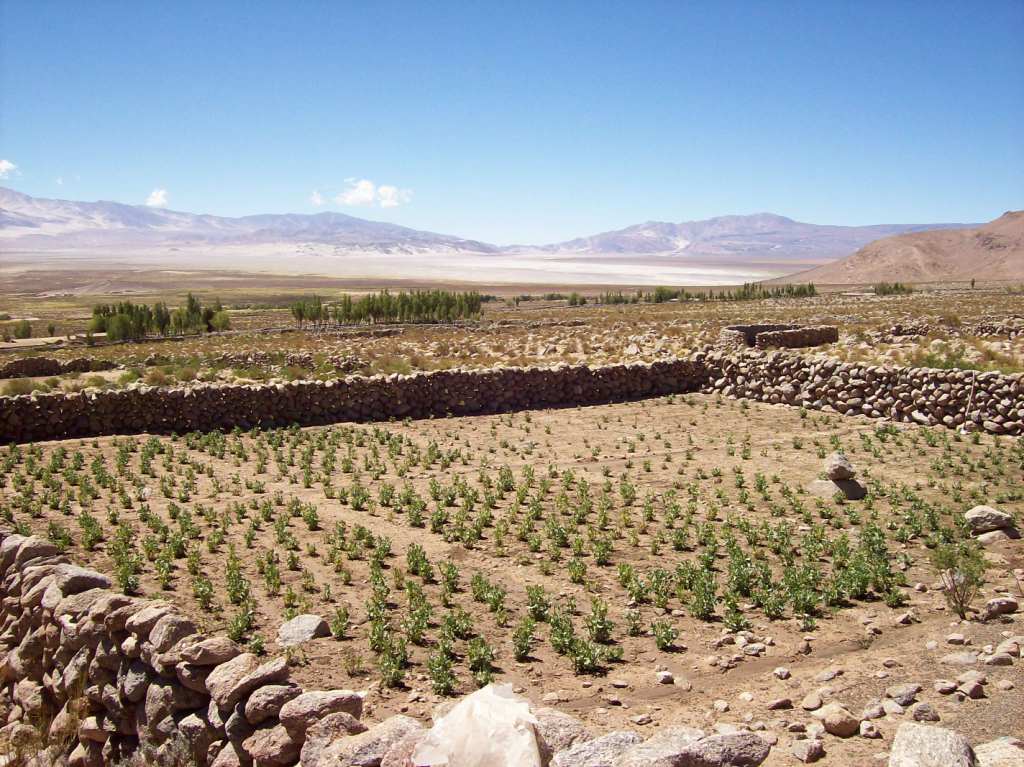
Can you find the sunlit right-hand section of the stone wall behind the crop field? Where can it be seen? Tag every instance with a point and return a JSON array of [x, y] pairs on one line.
[[990, 402]]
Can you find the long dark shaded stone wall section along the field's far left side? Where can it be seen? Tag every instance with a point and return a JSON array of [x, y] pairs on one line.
[[204, 407]]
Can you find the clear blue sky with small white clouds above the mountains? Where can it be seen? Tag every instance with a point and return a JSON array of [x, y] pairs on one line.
[[521, 122]]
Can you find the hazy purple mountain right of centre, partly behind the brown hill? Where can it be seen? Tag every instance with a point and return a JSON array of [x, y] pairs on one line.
[[762, 237]]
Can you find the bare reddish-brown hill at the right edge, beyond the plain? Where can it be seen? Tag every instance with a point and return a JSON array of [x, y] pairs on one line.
[[994, 251]]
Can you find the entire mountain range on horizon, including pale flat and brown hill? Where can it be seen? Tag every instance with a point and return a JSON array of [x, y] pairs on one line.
[[727, 248]]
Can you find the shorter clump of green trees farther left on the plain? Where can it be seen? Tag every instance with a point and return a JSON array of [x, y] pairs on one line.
[[124, 321]]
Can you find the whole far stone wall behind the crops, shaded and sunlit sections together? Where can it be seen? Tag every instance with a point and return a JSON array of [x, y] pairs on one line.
[[990, 402]]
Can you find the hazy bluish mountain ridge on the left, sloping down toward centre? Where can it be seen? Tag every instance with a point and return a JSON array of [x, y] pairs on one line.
[[38, 225]]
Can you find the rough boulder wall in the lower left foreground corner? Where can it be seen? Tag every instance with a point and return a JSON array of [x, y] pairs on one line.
[[111, 675]]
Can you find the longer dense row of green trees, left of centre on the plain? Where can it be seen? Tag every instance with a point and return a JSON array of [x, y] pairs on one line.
[[414, 307]]
